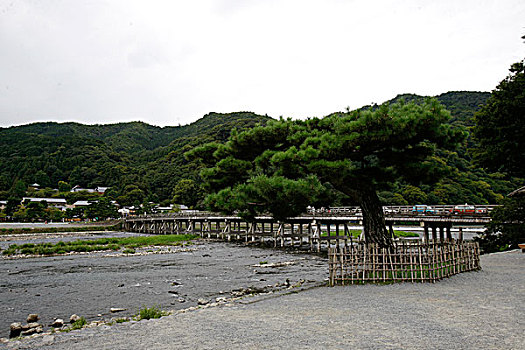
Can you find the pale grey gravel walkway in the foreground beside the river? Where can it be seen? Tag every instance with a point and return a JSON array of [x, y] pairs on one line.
[[475, 310]]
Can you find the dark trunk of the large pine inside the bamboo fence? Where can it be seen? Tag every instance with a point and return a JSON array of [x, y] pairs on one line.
[[374, 219]]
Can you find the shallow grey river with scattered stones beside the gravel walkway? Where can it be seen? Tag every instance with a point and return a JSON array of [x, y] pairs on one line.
[[90, 285]]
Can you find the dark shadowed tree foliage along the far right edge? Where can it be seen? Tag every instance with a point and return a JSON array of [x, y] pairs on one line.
[[500, 135]]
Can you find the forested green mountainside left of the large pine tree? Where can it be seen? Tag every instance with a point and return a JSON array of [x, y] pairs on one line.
[[126, 156]]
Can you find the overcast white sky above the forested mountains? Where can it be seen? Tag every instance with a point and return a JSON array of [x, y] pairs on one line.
[[171, 62]]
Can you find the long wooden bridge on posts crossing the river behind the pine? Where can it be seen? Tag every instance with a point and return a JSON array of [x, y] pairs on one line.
[[314, 232]]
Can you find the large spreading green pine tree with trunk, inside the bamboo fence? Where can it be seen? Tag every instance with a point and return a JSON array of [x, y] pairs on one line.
[[287, 165]]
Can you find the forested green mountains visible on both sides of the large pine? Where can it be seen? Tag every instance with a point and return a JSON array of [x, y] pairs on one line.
[[142, 162]]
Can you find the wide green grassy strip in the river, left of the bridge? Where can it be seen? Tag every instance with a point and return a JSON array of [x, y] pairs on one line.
[[129, 244]]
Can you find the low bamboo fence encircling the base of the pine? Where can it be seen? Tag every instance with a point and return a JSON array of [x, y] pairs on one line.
[[360, 263]]
